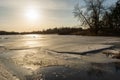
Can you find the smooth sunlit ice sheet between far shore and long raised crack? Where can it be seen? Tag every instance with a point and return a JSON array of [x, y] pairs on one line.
[[55, 42]]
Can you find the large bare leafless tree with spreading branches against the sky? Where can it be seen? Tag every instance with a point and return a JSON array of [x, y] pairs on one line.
[[90, 14]]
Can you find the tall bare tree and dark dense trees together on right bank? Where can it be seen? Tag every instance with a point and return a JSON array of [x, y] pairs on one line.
[[98, 18]]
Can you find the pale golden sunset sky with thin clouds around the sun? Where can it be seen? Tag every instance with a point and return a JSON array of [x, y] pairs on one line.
[[29, 15]]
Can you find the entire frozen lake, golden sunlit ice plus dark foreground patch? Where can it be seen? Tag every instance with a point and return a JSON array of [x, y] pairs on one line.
[[59, 57]]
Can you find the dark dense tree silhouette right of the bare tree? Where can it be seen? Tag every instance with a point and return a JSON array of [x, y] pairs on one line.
[[111, 19]]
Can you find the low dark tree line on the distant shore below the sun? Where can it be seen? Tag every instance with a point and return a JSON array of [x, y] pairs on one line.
[[61, 31]]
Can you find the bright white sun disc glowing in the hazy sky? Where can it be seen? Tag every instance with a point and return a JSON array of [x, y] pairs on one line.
[[32, 14]]
